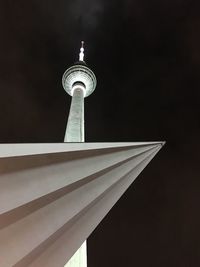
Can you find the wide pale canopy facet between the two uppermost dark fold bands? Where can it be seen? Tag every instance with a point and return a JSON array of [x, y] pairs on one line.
[[11, 189]]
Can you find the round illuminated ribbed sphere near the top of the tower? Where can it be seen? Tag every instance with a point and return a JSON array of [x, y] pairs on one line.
[[82, 74]]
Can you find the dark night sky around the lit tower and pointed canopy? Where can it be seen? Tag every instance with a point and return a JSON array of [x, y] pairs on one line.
[[146, 56]]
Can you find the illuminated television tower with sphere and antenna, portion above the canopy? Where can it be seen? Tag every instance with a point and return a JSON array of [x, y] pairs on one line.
[[79, 82]]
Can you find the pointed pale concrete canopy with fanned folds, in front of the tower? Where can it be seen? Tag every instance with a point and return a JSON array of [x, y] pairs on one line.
[[52, 196]]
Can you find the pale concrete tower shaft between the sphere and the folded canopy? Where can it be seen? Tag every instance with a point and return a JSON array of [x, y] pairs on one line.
[[75, 125]]
